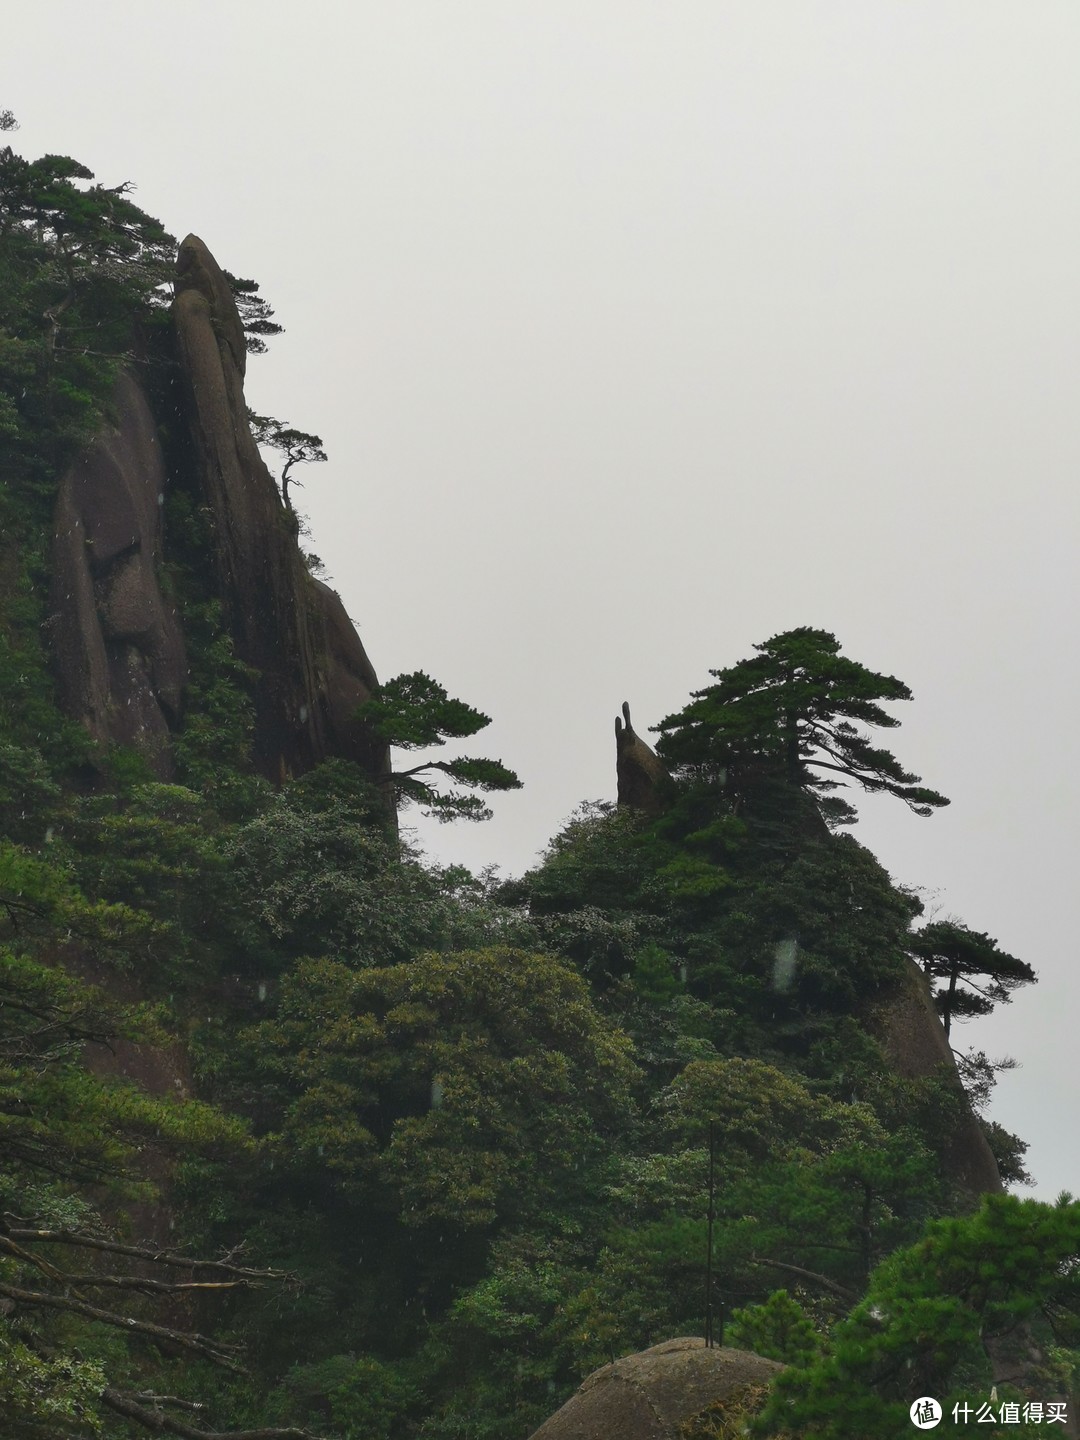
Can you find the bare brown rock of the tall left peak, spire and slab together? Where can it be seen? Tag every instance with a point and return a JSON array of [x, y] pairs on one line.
[[116, 637]]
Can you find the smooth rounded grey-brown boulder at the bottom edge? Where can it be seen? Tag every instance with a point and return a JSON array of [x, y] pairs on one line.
[[660, 1392]]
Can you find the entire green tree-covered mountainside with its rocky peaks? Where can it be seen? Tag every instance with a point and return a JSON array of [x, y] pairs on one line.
[[302, 1135]]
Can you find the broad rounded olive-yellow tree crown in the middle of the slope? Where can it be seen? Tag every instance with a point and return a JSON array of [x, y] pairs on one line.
[[463, 1089]]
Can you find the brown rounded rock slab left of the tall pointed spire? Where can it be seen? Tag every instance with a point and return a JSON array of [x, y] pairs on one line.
[[116, 639]]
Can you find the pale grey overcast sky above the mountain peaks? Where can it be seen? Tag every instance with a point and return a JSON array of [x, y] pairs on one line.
[[639, 333]]
